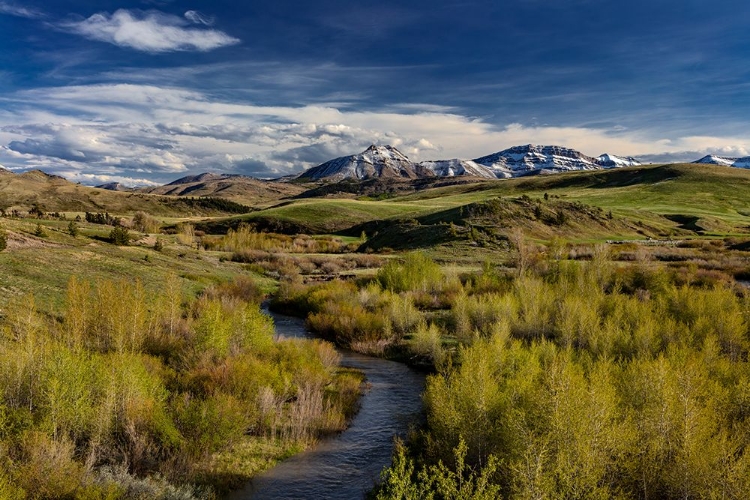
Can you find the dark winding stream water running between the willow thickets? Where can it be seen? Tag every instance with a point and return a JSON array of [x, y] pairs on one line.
[[346, 466]]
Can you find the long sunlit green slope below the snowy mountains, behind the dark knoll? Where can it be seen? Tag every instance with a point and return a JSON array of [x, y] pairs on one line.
[[701, 198]]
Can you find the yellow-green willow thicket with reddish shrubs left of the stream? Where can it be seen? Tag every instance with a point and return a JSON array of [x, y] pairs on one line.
[[138, 383]]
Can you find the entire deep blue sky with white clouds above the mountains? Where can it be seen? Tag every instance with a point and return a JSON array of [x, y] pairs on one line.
[[146, 91]]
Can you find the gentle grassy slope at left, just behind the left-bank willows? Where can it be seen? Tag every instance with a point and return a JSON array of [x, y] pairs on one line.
[[44, 265]]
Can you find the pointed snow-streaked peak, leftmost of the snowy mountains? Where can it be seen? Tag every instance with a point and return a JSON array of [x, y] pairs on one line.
[[375, 161]]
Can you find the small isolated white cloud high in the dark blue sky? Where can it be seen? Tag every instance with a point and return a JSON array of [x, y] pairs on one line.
[[150, 31]]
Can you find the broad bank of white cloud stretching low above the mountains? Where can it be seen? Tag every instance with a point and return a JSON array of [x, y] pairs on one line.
[[155, 133]]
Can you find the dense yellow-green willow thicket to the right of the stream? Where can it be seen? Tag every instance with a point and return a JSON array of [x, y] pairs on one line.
[[580, 387]]
